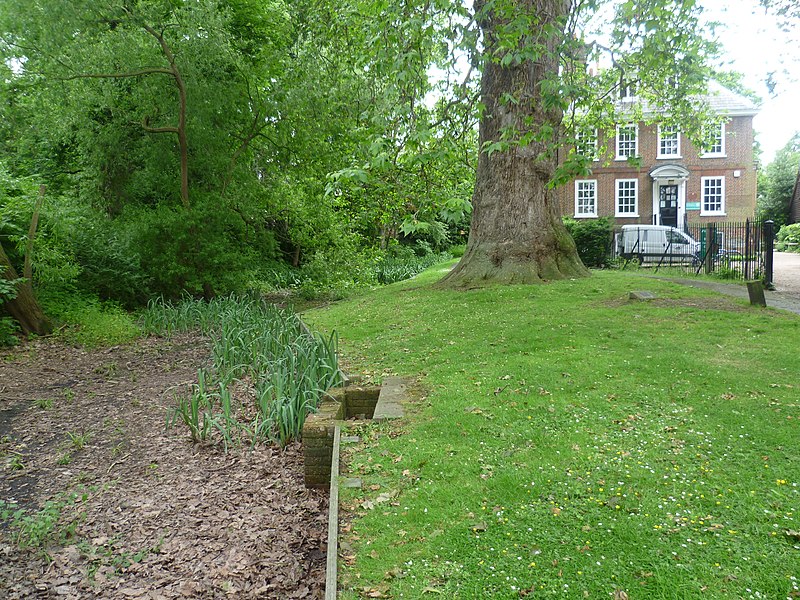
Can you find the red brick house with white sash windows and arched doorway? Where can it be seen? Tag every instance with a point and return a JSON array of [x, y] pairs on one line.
[[676, 183]]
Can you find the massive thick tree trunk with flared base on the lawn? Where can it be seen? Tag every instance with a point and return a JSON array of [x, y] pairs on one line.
[[517, 235]]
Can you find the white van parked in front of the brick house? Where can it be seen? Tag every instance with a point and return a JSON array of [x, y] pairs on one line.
[[651, 243]]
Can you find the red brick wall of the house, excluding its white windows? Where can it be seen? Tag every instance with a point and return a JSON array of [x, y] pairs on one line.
[[740, 192]]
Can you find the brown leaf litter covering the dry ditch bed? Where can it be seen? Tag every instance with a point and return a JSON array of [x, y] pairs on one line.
[[119, 507]]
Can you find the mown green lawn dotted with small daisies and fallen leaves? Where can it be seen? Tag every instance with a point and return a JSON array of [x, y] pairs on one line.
[[575, 444]]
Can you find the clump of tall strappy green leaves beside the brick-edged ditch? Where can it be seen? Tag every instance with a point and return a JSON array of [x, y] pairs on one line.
[[288, 366]]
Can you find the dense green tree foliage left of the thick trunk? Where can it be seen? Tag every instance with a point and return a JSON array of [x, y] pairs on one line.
[[217, 140]]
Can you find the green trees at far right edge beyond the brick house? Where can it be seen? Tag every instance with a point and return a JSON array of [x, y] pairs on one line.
[[778, 182]]
